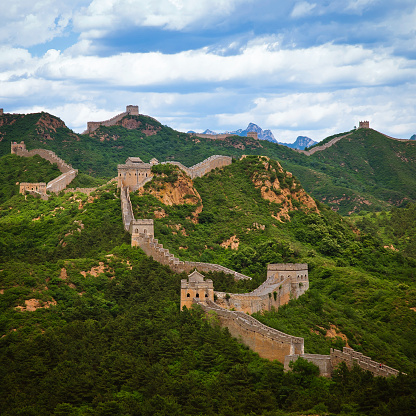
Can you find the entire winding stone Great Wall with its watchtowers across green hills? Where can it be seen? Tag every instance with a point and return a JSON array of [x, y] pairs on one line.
[[283, 283]]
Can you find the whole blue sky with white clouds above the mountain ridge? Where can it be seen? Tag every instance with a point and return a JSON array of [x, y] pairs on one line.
[[311, 68]]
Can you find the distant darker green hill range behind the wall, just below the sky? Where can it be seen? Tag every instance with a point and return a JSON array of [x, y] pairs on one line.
[[364, 171]]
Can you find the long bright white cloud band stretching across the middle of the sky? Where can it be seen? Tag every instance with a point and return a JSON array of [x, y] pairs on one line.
[[313, 67]]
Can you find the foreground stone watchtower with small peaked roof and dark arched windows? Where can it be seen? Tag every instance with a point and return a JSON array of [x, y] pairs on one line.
[[196, 287]]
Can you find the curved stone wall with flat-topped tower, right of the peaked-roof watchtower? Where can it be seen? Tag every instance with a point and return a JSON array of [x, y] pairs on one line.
[[285, 281]]
